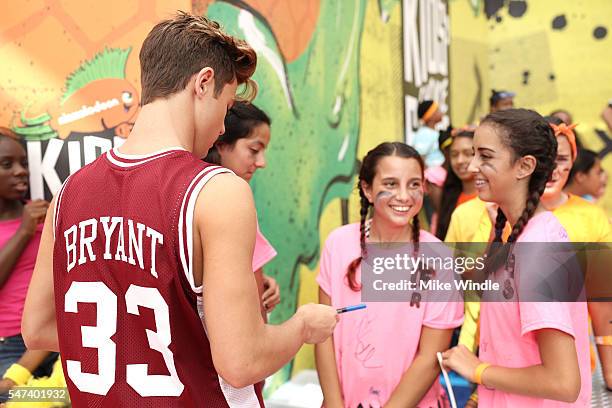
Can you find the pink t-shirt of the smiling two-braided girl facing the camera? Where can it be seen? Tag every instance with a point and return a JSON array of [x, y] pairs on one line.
[[374, 347]]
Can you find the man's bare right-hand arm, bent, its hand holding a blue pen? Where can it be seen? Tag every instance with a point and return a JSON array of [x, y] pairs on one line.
[[244, 349]]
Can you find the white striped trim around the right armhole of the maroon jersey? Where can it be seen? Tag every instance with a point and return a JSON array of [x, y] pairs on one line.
[[186, 220]]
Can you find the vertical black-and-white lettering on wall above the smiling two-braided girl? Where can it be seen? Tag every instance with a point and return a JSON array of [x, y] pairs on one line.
[[426, 41]]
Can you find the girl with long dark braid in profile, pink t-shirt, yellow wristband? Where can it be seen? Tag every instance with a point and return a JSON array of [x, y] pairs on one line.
[[532, 354]]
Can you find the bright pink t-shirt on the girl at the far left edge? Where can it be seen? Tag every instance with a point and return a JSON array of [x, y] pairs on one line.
[[13, 292]]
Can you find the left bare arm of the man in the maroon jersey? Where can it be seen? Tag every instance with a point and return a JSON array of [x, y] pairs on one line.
[[39, 326]]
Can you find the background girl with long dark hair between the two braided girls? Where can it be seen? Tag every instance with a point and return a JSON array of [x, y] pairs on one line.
[[459, 184]]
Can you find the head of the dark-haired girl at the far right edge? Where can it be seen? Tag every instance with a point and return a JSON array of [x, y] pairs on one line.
[[587, 178]]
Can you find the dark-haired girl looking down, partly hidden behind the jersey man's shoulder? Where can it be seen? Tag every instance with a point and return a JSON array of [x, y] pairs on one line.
[[242, 150]]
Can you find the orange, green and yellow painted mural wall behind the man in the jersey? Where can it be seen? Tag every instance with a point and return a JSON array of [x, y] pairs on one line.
[[330, 75]]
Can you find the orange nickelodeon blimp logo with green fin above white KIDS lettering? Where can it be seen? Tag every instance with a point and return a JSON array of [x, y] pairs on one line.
[[96, 112]]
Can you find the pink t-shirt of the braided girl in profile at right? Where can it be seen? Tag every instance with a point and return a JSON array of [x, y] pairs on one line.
[[507, 329]]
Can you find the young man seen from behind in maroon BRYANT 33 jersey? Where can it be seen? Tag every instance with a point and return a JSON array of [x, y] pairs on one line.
[[143, 279]]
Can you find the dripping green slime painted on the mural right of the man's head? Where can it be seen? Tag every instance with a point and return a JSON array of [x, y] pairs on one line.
[[314, 105]]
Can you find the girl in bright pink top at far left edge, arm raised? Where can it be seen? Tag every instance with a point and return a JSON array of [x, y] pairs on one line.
[[20, 231]]
